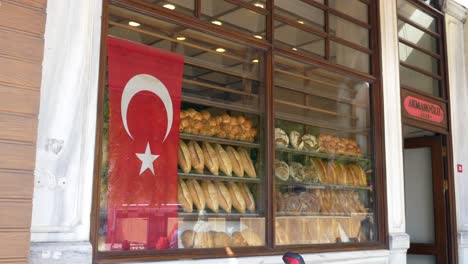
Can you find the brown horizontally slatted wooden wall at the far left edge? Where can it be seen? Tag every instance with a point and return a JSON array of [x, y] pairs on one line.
[[22, 24]]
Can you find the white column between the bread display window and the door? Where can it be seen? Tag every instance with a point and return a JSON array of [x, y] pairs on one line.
[[399, 240]]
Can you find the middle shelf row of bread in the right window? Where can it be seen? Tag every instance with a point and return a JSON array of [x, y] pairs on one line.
[[321, 171]]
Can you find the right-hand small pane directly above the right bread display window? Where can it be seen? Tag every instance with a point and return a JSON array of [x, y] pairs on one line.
[[349, 57]]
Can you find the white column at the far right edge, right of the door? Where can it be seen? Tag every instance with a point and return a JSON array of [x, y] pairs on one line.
[[457, 72]]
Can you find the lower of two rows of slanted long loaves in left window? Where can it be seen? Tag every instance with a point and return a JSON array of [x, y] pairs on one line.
[[215, 195]]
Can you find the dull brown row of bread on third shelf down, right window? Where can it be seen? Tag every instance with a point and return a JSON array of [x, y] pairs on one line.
[[320, 201]]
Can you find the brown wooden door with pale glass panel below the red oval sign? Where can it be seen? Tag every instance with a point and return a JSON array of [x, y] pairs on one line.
[[426, 212]]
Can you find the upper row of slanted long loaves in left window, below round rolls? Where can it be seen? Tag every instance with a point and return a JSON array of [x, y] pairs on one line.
[[215, 158]]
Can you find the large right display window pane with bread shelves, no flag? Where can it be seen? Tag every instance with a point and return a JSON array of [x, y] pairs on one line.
[[323, 167]]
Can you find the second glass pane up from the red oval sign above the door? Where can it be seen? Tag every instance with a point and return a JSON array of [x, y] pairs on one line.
[[418, 59]]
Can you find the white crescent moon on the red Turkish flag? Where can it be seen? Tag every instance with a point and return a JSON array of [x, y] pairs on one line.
[[145, 82]]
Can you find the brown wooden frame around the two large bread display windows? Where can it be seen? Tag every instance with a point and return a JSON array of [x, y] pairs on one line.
[[376, 108]]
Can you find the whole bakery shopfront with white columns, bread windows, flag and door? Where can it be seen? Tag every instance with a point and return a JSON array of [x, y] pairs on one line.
[[324, 113]]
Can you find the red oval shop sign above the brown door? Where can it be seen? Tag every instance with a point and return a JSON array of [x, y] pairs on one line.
[[423, 109]]
